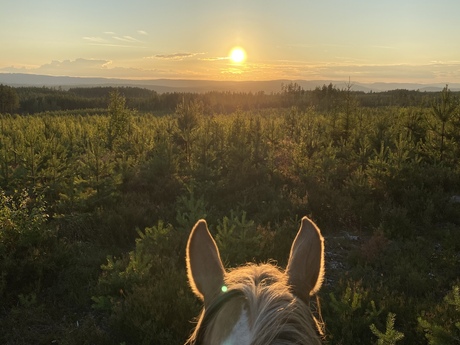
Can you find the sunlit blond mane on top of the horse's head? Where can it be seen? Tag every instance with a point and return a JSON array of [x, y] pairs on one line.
[[275, 314]]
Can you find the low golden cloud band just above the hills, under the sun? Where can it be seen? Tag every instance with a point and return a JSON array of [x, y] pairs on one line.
[[166, 66]]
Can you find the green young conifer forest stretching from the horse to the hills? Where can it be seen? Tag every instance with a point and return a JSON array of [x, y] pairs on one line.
[[100, 187]]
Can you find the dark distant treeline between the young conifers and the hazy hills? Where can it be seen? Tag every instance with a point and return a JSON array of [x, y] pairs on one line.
[[31, 100]]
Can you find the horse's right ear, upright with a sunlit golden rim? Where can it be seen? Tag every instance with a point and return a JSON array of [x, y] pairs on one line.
[[305, 269]]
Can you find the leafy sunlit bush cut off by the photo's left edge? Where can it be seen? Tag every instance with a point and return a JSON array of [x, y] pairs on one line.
[[27, 246]]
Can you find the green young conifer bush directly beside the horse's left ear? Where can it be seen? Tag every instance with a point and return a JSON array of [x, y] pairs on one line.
[[146, 292]]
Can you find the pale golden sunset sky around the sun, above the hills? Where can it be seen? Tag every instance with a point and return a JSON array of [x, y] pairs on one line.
[[362, 40]]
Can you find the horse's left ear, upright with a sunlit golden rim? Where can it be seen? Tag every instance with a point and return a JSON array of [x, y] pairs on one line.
[[204, 266]]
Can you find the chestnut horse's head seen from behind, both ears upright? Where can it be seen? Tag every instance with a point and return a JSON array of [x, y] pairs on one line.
[[256, 304]]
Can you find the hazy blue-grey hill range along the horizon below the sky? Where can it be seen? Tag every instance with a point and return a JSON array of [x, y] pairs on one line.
[[177, 85]]
